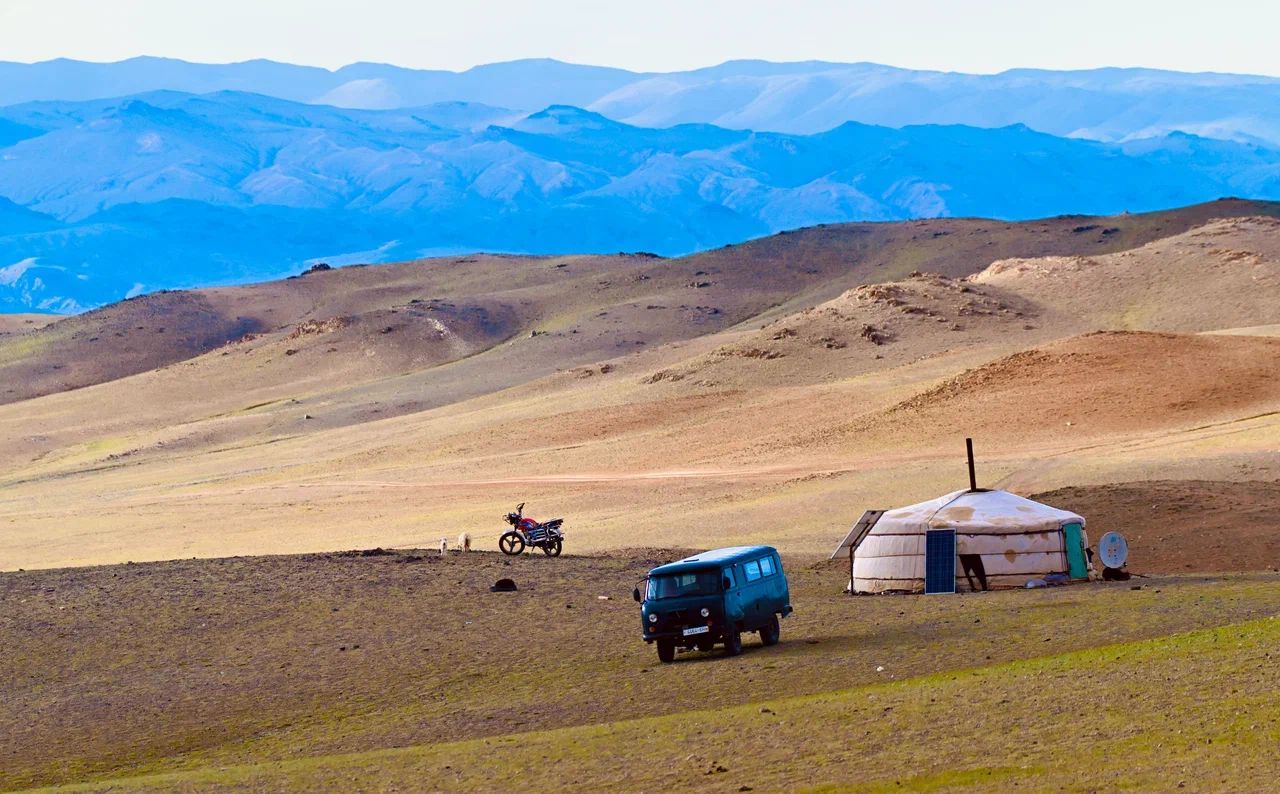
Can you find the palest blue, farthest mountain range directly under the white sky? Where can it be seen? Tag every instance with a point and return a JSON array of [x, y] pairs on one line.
[[798, 98]]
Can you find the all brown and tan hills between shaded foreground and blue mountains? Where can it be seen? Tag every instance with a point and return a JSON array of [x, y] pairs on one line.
[[811, 373]]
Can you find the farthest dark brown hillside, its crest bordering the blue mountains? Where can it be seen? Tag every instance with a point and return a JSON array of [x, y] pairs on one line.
[[616, 298]]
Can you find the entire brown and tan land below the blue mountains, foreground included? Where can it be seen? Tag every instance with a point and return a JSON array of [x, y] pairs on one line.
[[179, 469]]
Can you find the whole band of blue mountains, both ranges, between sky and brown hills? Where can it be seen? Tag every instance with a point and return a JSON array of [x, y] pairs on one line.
[[107, 198]]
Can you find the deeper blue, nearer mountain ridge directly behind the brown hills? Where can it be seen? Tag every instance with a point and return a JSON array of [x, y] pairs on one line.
[[240, 186]]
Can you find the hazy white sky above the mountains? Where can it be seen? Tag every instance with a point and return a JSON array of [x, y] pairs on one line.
[[659, 35]]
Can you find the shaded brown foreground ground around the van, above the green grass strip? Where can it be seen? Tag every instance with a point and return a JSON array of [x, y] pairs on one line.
[[217, 663]]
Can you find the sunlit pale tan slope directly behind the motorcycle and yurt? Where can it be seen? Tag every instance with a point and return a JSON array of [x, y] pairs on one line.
[[627, 464]]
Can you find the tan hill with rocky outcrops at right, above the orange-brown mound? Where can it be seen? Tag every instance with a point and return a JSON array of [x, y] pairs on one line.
[[1218, 277]]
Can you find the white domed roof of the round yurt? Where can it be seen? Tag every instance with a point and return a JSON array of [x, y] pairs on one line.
[[976, 512]]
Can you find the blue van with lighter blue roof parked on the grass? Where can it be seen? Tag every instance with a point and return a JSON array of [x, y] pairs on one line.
[[712, 599]]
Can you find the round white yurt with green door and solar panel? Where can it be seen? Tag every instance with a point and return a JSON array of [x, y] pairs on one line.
[[966, 541]]
